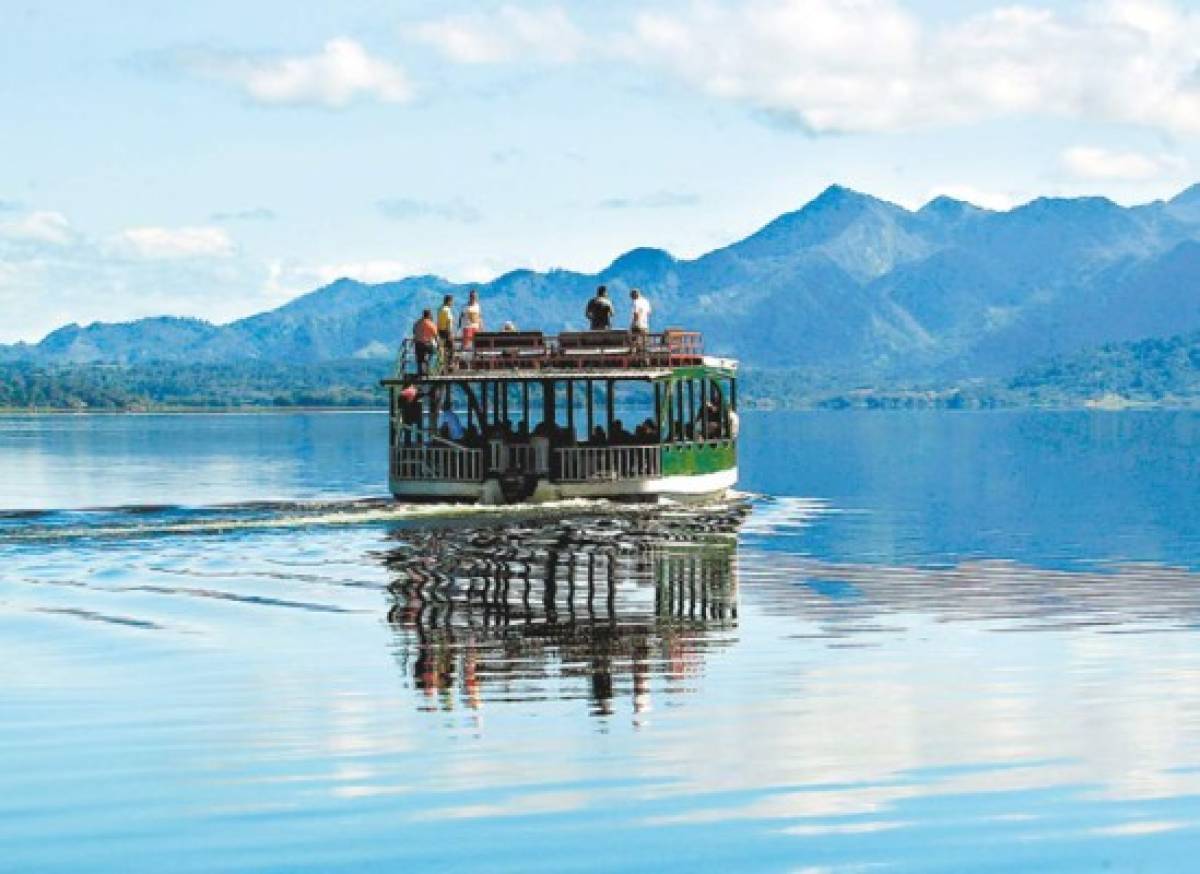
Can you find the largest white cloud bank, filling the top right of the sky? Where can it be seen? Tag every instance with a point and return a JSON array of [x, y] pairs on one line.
[[872, 65]]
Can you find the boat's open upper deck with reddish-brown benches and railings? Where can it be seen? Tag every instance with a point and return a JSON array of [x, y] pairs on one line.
[[579, 355]]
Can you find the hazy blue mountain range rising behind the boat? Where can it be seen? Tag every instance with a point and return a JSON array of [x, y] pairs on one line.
[[849, 284]]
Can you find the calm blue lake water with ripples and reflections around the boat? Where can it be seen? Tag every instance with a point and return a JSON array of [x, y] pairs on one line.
[[923, 642]]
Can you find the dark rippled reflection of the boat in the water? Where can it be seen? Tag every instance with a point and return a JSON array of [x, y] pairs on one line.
[[597, 608]]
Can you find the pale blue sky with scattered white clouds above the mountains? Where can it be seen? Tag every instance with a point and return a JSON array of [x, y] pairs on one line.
[[219, 159]]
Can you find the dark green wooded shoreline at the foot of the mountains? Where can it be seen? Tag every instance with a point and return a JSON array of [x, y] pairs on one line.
[[1149, 372]]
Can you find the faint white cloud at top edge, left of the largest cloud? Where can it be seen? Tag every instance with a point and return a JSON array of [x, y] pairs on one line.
[[511, 34]]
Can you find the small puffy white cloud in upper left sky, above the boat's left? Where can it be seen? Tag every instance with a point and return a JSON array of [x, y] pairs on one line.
[[335, 77]]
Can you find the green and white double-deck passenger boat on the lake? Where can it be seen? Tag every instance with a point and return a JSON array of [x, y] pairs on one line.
[[525, 417]]
